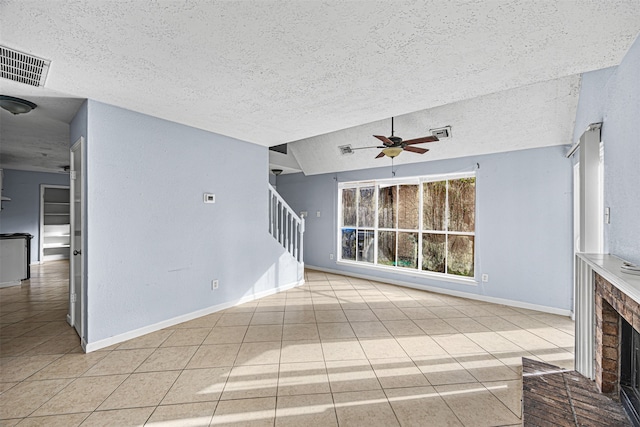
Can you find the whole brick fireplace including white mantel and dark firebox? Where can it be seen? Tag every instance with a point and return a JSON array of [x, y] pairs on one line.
[[607, 314]]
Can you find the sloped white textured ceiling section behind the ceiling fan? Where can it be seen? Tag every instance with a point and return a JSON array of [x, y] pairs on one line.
[[537, 115]]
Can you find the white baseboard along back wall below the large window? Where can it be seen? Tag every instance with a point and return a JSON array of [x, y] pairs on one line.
[[468, 295]]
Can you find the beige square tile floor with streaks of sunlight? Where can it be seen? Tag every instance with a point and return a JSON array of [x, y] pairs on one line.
[[336, 351]]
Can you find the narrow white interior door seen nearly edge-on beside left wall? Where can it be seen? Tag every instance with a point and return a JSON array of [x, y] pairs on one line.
[[76, 270]]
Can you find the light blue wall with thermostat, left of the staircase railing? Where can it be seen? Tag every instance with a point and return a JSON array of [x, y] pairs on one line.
[[153, 246]]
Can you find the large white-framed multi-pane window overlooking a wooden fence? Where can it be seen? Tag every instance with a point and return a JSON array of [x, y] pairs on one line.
[[425, 224]]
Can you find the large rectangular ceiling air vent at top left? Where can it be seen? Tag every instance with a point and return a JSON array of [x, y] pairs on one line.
[[22, 67]]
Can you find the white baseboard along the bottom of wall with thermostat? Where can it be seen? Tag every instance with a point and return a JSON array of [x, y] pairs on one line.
[[116, 339]]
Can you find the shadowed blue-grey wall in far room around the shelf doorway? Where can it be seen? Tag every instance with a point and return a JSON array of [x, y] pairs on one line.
[[22, 213]]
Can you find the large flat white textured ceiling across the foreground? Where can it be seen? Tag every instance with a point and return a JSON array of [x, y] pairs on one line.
[[270, 72]]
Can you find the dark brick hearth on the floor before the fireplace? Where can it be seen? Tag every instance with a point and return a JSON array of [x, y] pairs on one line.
[[552, 396]]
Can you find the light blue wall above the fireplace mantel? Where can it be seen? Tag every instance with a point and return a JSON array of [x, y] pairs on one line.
[[612, 96]]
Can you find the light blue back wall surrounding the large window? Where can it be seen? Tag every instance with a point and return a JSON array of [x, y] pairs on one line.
[[523, 224]]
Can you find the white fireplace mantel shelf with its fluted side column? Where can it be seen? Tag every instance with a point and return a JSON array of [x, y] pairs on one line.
[[607, 266]]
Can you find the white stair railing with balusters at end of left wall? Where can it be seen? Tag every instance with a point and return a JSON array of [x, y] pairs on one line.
[[285, 225]]
